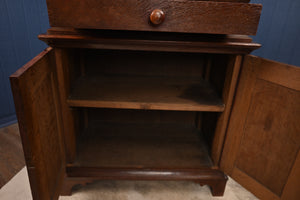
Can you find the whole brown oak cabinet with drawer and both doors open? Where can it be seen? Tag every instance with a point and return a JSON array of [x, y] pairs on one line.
[[132, 101]]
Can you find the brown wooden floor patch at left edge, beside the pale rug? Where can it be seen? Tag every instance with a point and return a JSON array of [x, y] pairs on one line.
[[11, 153]]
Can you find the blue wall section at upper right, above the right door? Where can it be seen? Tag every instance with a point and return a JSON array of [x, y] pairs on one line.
[[279, 31]]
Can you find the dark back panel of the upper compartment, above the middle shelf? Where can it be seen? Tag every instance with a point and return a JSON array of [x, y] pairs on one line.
[[144, 63]]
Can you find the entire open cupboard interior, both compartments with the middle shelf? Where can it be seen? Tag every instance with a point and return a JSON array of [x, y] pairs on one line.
[[139, 109]]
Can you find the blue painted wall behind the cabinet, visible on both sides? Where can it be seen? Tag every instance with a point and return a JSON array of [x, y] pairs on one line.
[[22, 20]]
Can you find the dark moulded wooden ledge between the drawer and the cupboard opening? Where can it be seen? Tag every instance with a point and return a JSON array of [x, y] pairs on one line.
[[71, 38]]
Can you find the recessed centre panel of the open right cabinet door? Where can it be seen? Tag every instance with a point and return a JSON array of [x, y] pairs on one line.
[[271, 169]]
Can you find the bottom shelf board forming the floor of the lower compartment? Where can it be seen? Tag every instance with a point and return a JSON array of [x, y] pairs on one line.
[[142, 145]]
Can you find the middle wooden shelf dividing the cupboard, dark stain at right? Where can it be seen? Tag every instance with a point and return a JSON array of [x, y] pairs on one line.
[[150, 93]]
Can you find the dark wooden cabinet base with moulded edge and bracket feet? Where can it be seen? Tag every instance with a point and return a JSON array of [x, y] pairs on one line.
[[81, 176]]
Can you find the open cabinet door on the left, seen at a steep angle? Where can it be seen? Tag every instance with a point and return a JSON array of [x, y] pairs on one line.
[[38, 110]]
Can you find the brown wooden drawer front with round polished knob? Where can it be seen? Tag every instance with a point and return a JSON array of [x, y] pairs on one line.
[[166, 15]]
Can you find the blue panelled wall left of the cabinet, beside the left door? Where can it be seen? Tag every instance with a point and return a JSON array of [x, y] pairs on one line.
[[20, 23]]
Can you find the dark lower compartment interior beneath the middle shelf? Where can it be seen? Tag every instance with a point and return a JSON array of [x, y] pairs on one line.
[[124, 138]]
